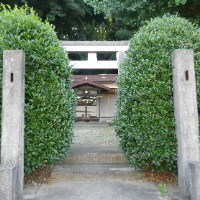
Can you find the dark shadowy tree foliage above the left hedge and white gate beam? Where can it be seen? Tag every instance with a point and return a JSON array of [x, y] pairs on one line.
[[73, 19]]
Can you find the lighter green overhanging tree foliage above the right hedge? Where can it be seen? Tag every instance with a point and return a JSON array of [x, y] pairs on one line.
[[135, 13]]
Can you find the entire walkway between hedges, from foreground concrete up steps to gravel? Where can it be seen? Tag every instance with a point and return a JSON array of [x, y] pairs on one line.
[[95, 169]]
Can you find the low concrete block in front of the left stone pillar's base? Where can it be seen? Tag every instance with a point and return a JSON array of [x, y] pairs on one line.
[[8, 177]]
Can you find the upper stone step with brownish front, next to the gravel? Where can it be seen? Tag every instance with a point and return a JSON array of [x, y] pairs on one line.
[[94, 154]]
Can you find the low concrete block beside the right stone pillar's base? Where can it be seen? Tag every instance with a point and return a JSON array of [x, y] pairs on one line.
[[194, 174]]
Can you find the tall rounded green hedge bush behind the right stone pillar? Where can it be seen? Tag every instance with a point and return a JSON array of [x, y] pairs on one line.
[[145, 121]]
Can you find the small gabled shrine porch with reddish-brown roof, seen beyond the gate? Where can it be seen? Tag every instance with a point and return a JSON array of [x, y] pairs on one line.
[[90, 98]]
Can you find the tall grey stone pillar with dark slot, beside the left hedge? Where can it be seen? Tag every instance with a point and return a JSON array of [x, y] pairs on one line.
[[12, 141]]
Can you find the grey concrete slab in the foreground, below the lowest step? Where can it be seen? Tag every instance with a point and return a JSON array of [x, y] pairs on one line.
[[95, 190]]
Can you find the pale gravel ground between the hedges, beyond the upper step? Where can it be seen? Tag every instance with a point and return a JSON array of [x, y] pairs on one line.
[[94, 135]]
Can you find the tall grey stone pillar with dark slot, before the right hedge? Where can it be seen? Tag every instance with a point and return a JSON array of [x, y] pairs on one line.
[[186, 115]]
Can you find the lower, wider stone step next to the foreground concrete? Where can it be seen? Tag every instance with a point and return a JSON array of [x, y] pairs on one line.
[[96, 172]]
